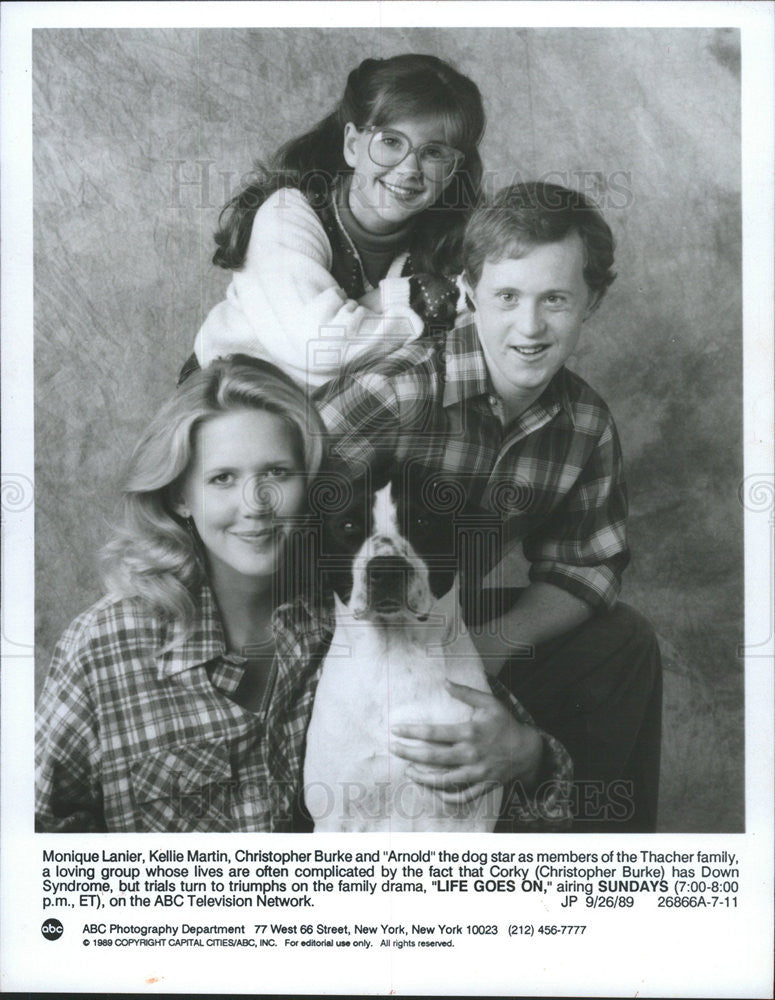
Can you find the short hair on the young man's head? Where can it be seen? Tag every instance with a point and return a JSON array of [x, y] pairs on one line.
[[526, 215]]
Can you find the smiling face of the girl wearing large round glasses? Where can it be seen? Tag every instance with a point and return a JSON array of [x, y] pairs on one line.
[[383, 199]]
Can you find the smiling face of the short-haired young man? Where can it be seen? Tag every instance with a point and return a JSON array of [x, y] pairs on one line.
[[529, 314]]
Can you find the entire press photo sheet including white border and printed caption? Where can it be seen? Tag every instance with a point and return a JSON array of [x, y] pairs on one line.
[[390, 440]]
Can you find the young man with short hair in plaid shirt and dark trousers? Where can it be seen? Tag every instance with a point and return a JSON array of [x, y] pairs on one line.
[[495, 409]]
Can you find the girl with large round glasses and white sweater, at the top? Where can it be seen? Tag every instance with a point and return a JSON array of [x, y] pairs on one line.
[[337, 244]]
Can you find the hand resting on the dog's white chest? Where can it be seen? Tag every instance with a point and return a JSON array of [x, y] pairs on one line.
[[466, 759]]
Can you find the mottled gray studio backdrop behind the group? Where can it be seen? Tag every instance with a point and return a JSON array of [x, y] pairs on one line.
[[140, 135]]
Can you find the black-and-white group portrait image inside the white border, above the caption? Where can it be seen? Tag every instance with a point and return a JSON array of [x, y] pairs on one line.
[[141, 138]]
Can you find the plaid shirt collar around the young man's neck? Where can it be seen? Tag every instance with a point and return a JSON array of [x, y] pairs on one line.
[[467, 376]]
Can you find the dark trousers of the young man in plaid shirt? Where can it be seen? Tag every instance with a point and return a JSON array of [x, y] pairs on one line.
[[597, 689]]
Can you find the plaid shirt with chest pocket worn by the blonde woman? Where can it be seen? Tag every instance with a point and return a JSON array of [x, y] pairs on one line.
[[130, 739]]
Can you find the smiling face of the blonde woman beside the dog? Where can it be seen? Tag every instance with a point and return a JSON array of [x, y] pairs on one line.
[[244, 478]]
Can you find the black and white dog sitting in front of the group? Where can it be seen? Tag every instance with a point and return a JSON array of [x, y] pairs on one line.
[[399, 634]]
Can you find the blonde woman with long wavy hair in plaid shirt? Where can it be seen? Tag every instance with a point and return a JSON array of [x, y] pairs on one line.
[[180, 700]]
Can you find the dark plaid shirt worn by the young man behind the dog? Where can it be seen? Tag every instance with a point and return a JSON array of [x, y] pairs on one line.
[[551, 479]]
